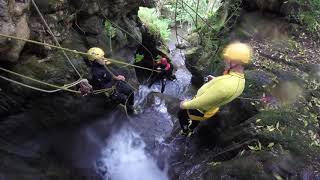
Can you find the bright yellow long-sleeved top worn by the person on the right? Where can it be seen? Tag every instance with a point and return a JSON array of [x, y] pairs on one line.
[[217, 92]]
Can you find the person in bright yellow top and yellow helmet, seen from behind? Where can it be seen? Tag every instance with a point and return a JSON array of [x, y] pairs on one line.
[[218, 91]]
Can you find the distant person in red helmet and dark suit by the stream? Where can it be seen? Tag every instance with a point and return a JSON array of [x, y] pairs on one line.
[[165, 73]]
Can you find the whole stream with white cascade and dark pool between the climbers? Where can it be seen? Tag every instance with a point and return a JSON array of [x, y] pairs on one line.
[[118, 147]]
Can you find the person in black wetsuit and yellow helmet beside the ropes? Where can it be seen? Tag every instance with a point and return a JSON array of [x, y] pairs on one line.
[[103, 79]]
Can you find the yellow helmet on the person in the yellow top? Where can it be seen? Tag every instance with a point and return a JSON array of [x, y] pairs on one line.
[[238, 52]]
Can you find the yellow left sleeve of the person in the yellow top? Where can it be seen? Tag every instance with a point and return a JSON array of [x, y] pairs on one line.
[[212, 96]]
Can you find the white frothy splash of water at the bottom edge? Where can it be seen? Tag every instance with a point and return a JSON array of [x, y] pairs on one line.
[[125, 158]]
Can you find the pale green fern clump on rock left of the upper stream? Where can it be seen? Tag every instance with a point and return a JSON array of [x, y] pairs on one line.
[[158, 26]]
